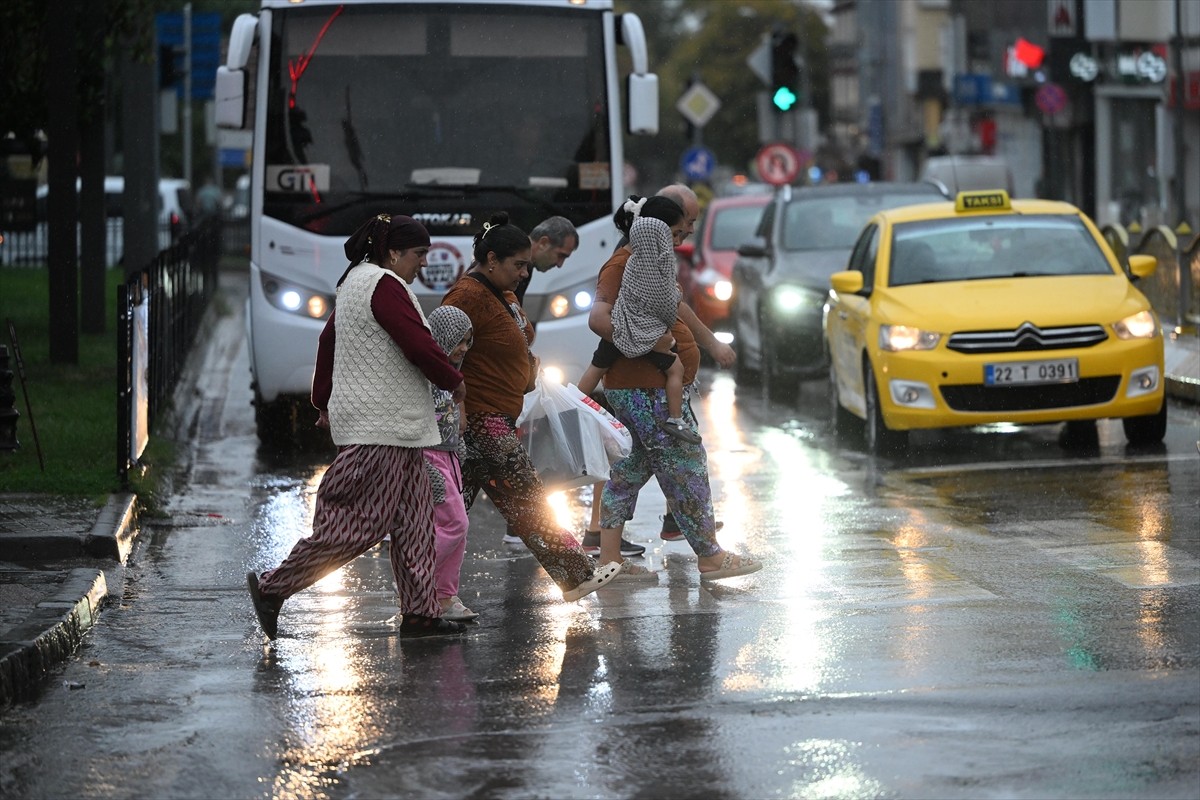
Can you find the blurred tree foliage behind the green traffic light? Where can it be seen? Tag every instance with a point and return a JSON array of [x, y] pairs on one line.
[[710, 41]]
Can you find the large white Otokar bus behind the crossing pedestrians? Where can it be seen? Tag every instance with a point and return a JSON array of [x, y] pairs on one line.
[[446, 112]]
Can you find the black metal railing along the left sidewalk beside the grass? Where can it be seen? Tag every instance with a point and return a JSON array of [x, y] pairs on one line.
[[178, 285]]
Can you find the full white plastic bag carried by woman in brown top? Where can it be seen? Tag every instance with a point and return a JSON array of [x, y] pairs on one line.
[[566, 437]]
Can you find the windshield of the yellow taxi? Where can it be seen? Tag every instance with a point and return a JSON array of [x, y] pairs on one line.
[[979, 248]]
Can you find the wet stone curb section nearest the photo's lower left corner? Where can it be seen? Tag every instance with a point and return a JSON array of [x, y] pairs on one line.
[[51, 635]]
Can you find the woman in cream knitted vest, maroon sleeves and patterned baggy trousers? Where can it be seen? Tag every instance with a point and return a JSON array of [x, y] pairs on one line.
[[375, 364]]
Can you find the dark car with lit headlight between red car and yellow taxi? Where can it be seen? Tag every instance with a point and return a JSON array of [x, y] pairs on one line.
[[782, 280]]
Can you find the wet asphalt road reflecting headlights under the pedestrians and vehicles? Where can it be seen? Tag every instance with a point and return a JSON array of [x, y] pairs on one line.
[[992, 618]]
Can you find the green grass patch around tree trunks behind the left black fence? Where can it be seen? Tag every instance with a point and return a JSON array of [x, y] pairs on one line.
[[74, 406]]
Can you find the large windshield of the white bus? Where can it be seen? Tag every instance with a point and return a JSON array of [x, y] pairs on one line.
[[446, 113]]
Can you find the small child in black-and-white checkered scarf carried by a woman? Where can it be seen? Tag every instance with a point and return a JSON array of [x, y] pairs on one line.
[[647, 305]]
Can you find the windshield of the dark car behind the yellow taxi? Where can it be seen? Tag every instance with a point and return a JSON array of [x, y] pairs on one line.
[[835, 222]]
